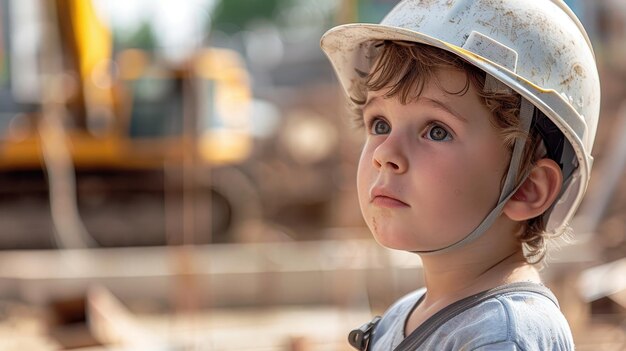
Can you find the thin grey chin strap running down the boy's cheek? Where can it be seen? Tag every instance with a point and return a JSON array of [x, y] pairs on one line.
[[526, 115]]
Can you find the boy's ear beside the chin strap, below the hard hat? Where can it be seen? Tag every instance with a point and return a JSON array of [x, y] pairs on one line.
[[537, 193]]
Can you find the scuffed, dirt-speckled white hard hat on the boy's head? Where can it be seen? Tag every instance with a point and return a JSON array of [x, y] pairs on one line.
[[538, 48]]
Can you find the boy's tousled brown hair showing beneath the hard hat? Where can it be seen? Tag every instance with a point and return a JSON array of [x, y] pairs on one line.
[[406, 67]]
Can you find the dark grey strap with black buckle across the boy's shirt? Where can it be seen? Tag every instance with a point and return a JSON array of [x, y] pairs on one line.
[[360, 338]]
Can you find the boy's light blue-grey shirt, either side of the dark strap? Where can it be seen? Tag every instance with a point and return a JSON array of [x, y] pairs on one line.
[[520, 320]]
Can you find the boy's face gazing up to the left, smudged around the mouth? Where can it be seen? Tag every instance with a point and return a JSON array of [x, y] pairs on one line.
[[430, 170]]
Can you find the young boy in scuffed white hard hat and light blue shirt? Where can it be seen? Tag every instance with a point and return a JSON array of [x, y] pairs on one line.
[[480, 117]]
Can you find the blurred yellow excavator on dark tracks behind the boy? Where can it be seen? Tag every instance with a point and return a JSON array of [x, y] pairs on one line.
[[121, 144]]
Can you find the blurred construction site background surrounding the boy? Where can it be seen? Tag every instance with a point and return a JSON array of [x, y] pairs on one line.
[[180, 175]]
